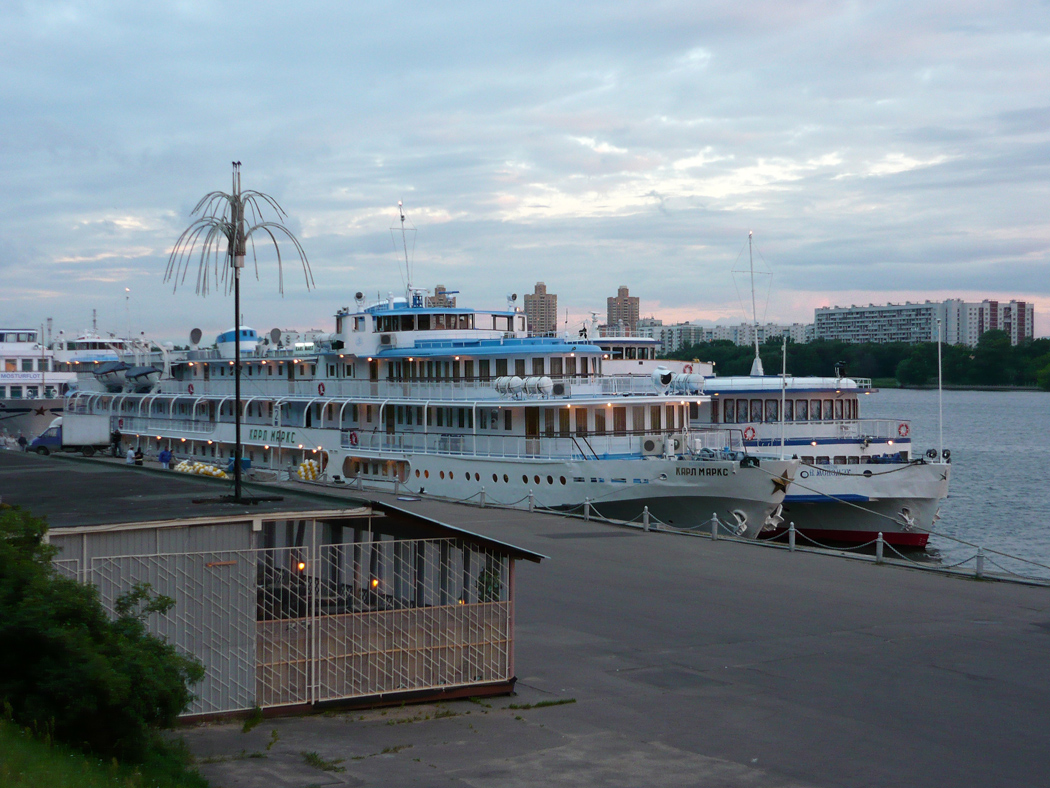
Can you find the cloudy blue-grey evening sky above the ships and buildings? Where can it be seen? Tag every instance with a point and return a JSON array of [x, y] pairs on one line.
[[879, 153]]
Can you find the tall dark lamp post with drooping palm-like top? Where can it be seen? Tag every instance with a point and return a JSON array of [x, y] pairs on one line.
[[222, 222]]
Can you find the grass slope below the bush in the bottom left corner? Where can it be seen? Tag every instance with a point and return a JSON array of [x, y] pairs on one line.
[[27, 762]]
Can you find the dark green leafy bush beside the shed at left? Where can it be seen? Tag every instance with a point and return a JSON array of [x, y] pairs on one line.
[[68, 669]]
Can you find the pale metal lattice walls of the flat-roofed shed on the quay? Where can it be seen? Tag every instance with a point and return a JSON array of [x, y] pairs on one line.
[[301, 626]]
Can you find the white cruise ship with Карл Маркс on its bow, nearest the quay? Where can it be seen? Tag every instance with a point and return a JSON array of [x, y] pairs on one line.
[[456, 403]]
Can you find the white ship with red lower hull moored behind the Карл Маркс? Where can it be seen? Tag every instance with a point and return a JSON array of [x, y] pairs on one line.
[[858, 478]]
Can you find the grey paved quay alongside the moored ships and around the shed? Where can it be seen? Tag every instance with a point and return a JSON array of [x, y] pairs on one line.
[[679, 661]]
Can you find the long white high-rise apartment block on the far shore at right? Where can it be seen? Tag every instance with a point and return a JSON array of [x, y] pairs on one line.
[[963, 322]]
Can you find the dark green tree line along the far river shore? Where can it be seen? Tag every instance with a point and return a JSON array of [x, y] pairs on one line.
[[994, 362]]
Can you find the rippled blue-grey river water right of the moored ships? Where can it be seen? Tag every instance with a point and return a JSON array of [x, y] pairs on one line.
[[999, 495]]
